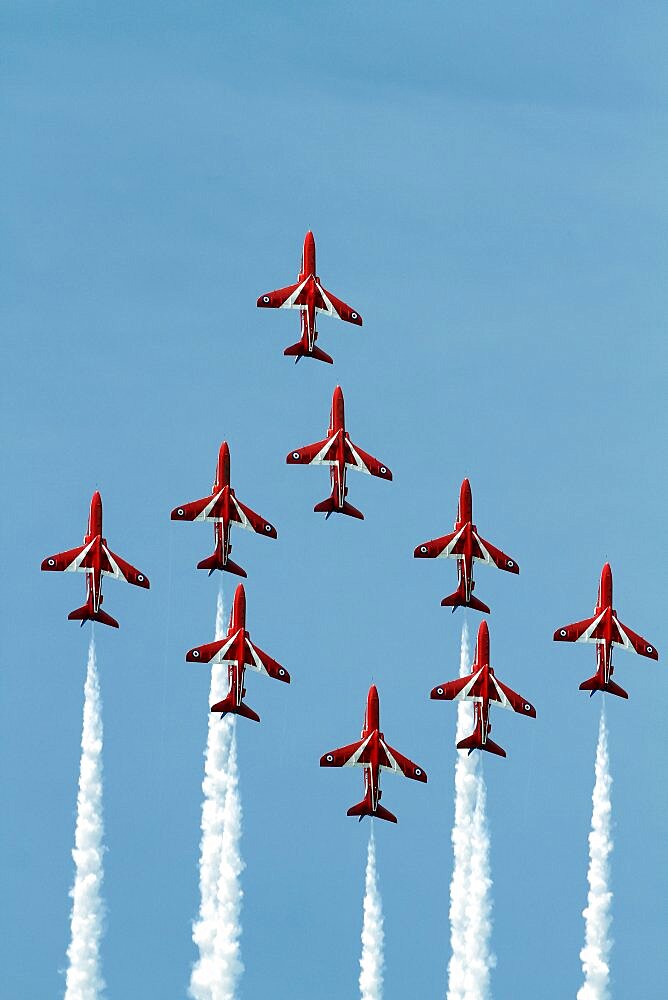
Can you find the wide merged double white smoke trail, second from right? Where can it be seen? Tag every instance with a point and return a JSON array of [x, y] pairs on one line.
[[470, 900]]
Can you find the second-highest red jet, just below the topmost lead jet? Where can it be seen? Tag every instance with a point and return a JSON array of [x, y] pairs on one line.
[[338, 451]]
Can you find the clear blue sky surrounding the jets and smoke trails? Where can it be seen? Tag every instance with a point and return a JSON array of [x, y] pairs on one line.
[[488, 188]]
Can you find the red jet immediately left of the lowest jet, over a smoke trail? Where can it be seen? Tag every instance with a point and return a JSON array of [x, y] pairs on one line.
[[238, 652]]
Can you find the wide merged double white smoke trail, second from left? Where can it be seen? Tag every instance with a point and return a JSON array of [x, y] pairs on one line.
[[215, 973]]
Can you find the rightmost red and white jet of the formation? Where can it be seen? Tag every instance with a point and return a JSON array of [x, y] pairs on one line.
[[606, 630]]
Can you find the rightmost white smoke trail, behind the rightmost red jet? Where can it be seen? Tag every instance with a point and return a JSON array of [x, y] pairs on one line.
[[595, 955]]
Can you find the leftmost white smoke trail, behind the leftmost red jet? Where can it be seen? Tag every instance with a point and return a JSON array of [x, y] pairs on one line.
[[84, 978]]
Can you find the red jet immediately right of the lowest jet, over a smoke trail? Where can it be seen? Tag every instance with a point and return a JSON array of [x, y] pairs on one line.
[[483, 688]]
